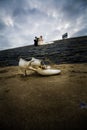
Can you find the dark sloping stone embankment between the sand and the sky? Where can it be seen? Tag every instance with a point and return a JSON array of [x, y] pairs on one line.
[[73, 50]]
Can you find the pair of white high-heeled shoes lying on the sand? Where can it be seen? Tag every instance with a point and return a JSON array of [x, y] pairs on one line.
[[37, 66]]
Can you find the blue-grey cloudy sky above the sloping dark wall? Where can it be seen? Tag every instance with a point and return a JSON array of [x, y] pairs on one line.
[[22, 20]]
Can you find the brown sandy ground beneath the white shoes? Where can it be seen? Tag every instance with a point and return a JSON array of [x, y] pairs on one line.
[[44, 103]]
